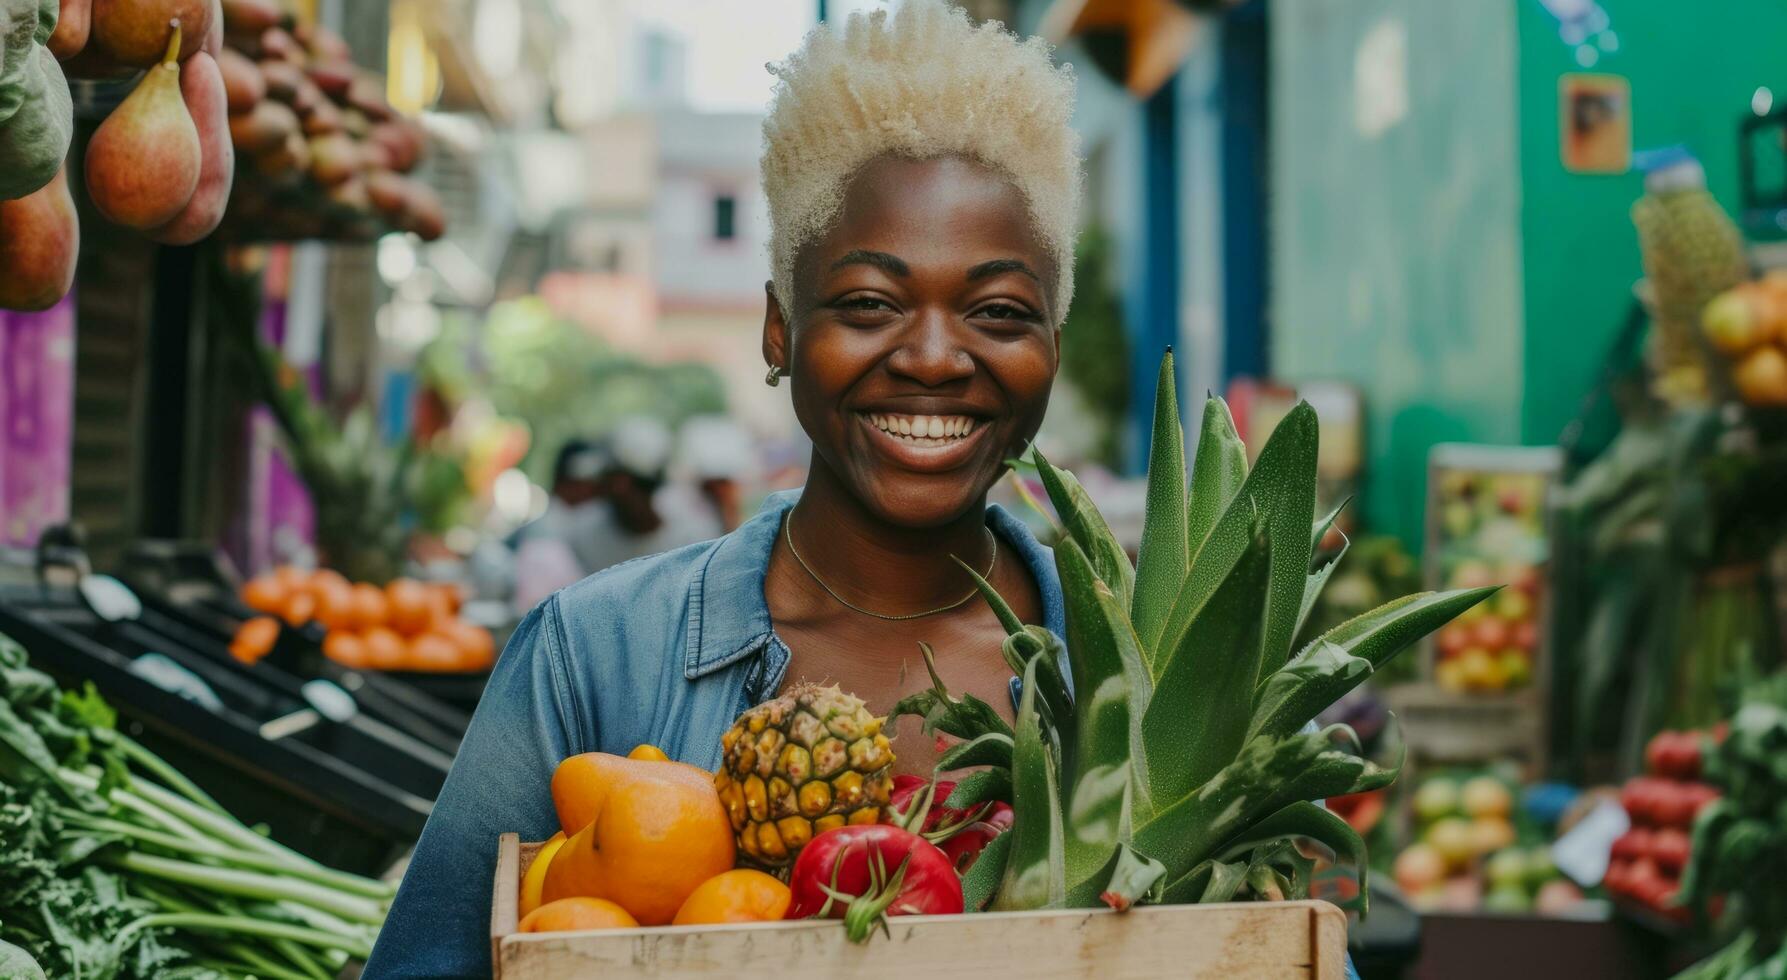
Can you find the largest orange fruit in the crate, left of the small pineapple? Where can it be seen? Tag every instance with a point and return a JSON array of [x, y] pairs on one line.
[[642, 834]]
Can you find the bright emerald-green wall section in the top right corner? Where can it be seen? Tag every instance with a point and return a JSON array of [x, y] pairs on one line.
[[1693, 69]]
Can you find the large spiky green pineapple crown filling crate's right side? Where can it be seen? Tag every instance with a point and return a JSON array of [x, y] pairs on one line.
[[1177, 766]]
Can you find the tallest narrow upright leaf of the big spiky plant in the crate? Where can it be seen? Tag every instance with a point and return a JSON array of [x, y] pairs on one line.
[[1164, 557]]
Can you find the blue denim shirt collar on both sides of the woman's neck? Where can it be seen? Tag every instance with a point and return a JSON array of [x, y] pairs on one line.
[[730, 620]]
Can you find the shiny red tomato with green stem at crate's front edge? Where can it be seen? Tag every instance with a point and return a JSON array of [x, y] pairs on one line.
[[885, 870]]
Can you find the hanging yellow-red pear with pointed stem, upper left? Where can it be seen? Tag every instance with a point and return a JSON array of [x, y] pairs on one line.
[[146, 158]]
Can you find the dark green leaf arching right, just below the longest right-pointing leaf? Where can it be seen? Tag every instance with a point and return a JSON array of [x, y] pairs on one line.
[[1268, 775]]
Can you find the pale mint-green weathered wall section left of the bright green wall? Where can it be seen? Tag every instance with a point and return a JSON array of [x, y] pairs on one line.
[[1397, 257]]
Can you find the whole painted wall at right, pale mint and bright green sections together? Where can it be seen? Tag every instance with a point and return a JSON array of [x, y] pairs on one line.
[[1448, 266]]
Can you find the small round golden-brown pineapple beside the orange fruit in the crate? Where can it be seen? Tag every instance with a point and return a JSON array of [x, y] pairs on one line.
[[803, 765]]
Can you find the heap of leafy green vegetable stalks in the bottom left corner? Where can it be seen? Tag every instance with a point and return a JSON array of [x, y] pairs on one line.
[[115, 866]]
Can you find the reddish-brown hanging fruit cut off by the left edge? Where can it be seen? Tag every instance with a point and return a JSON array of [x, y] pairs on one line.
[[40, 242]]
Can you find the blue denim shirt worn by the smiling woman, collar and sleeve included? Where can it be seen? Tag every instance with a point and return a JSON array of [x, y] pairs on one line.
[[664, 652]]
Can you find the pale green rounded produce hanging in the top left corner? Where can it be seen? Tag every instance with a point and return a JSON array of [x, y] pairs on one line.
[[37, 114]]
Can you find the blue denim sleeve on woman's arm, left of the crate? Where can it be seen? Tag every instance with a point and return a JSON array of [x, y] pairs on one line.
[[440, 924]]
